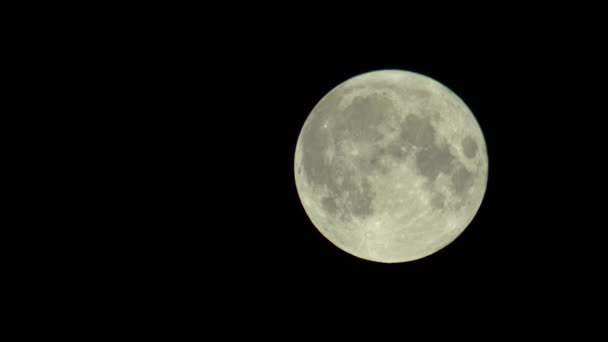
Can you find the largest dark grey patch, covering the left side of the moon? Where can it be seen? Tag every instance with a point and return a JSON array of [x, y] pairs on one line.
[[350, 194]]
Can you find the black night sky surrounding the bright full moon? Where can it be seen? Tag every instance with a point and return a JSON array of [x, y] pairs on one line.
[[147, 168]]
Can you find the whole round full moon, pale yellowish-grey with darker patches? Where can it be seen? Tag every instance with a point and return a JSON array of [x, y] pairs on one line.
[[391, 166]]
